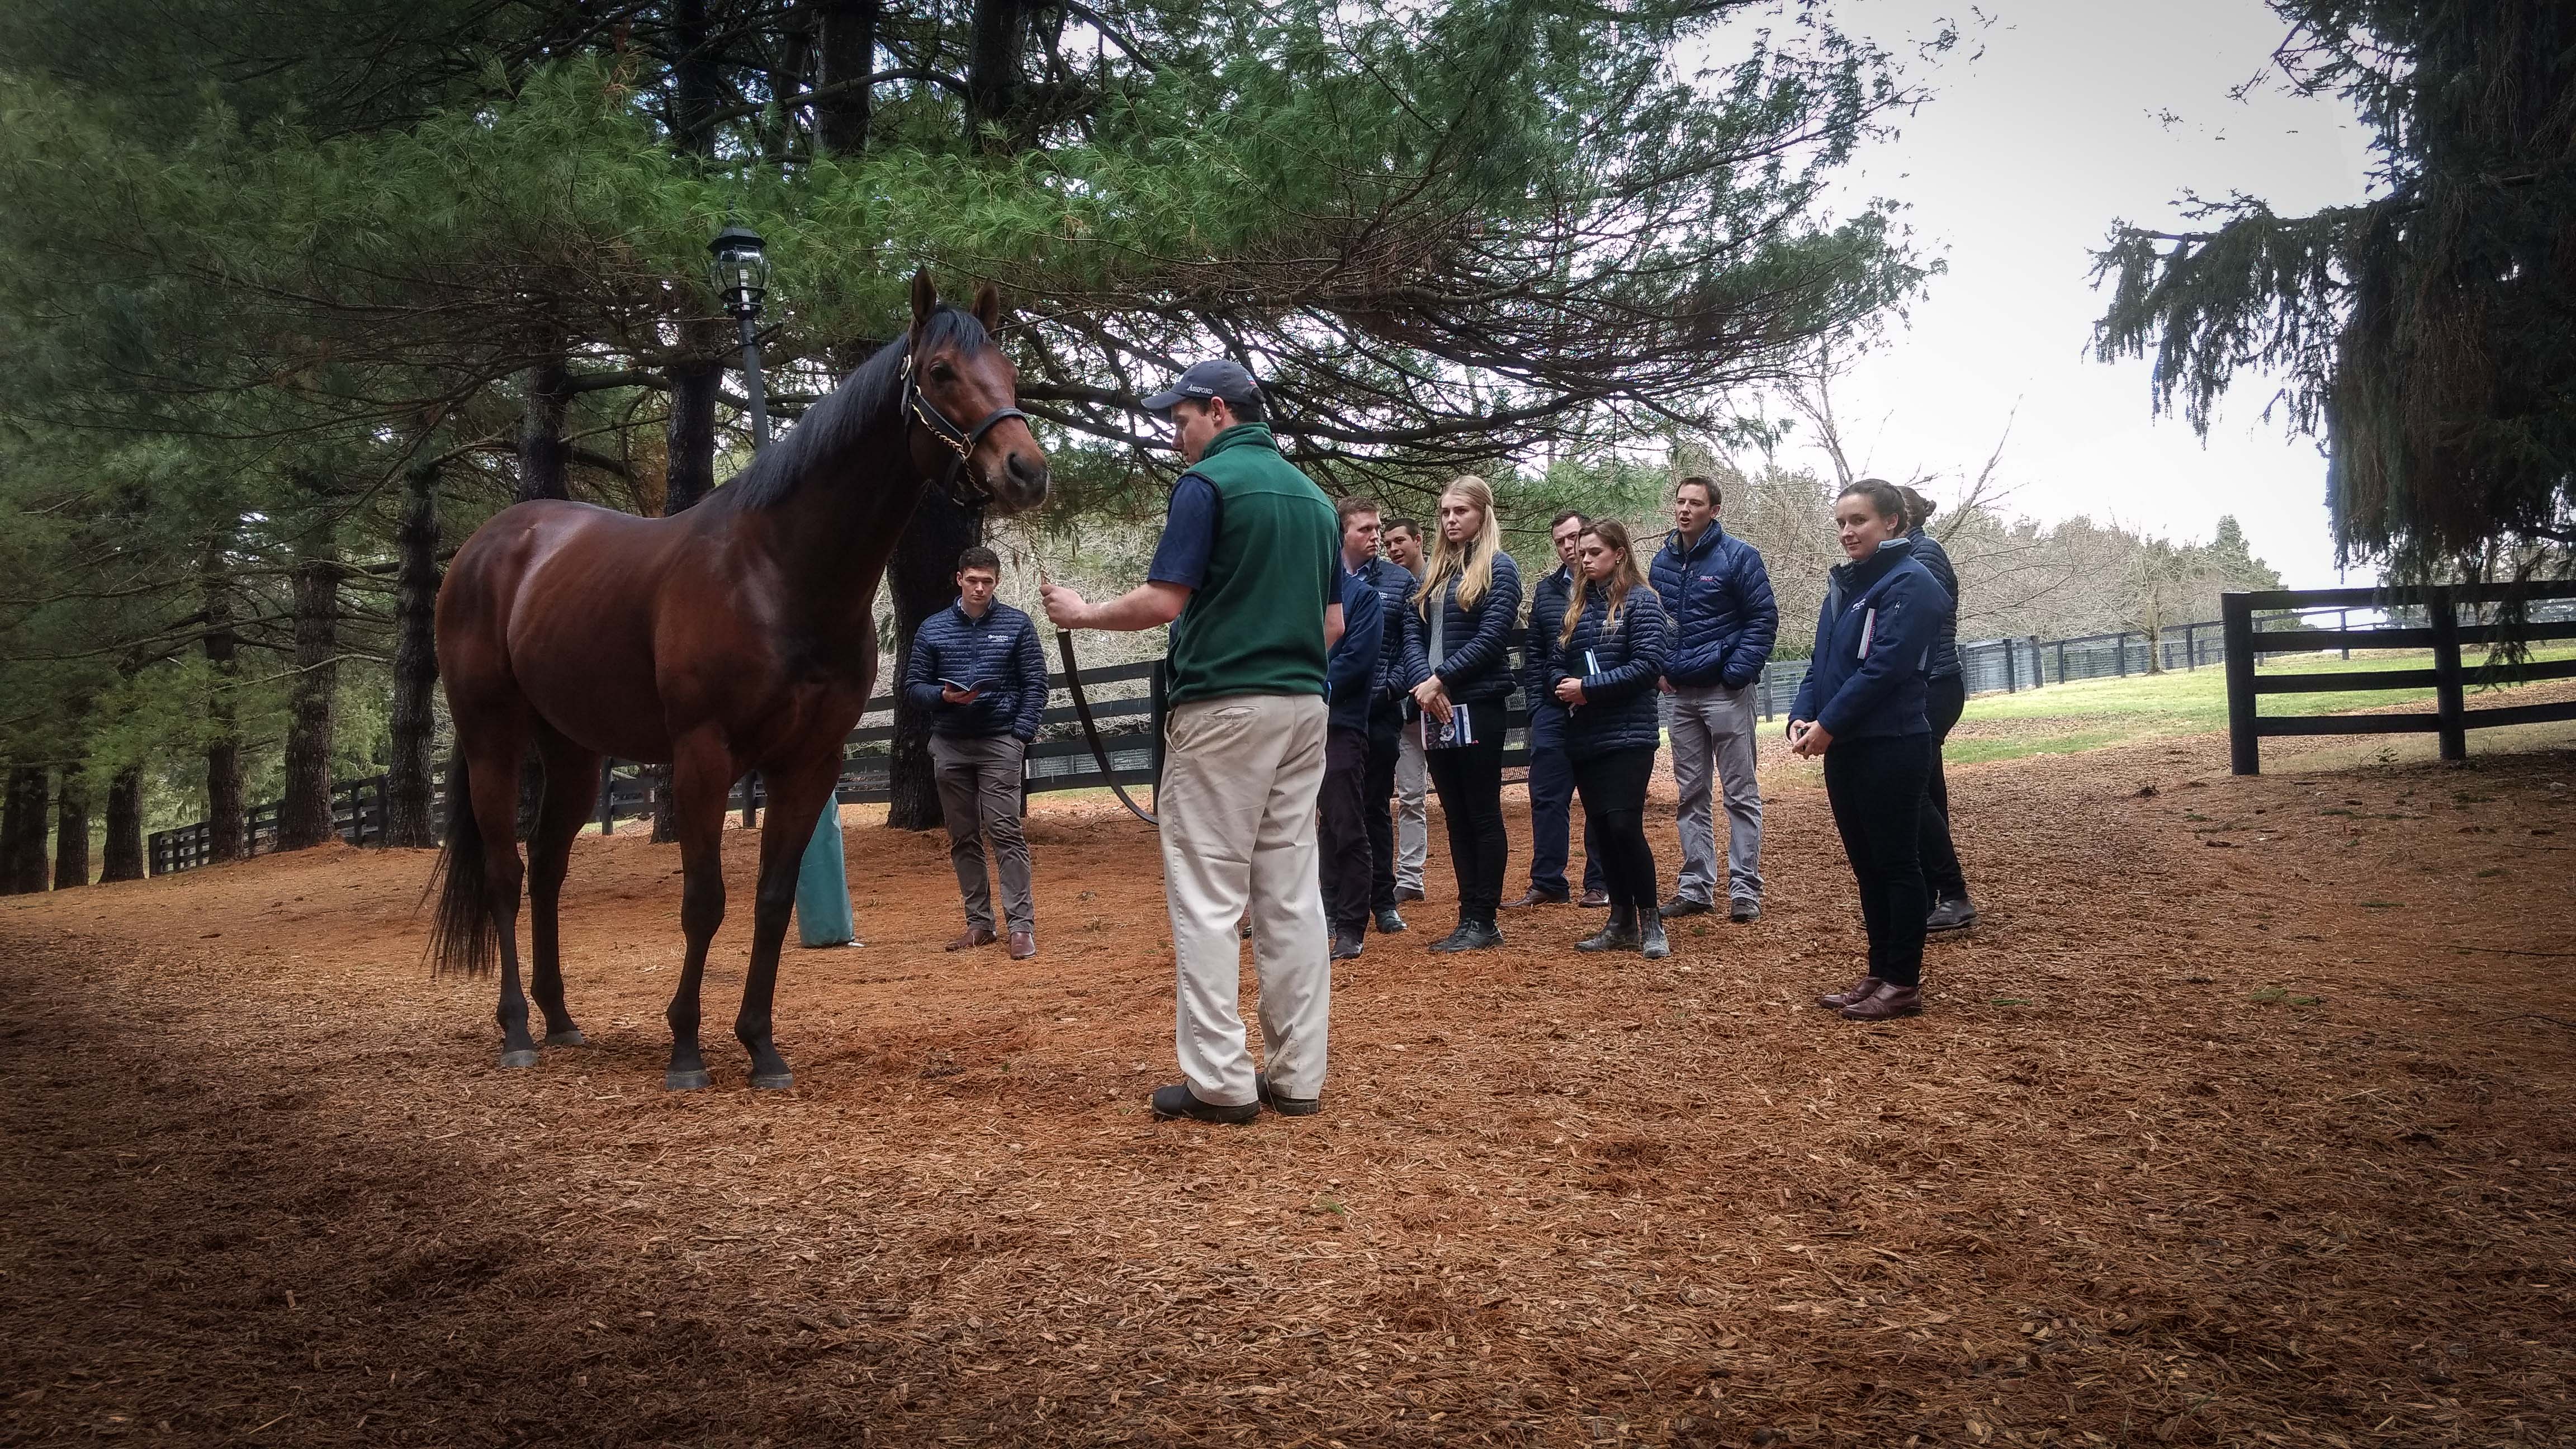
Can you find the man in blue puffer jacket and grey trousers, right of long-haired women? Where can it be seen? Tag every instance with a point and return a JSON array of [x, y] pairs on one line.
[[1725, 620]]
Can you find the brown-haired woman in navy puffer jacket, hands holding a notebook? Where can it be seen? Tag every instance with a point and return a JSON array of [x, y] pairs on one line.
[[1604, 672]]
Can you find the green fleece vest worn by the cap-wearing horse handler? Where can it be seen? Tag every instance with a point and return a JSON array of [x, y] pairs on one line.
[[1256, 625]]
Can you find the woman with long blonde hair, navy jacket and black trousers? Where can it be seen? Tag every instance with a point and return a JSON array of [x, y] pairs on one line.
[[1459, 666]]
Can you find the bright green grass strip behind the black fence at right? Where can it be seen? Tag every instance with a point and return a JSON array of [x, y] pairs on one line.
[[2088, 715]]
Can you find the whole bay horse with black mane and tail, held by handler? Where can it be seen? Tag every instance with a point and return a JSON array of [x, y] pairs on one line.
[[720, 641]]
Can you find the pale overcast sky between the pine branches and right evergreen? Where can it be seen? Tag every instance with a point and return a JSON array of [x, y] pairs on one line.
[[2013, 174]]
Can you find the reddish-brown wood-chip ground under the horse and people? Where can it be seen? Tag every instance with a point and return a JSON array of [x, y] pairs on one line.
[[2245, 1118]]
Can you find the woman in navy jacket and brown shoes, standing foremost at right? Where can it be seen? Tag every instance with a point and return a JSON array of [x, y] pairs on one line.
[[1864, 710]]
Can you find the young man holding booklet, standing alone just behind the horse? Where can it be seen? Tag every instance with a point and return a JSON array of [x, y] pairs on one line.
[[983, 674]]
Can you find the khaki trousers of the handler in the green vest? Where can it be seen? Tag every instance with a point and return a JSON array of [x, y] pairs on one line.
[[1238, 813]]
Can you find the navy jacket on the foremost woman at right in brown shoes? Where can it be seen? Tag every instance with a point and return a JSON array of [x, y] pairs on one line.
[[1871, 643]]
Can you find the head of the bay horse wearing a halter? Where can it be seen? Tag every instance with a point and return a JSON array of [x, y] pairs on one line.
[[967, 424]]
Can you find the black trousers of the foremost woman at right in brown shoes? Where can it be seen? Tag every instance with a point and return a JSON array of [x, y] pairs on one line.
[[1879, 798]]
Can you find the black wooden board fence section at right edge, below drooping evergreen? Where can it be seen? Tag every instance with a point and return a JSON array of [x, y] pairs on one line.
[[2438, 618]]
